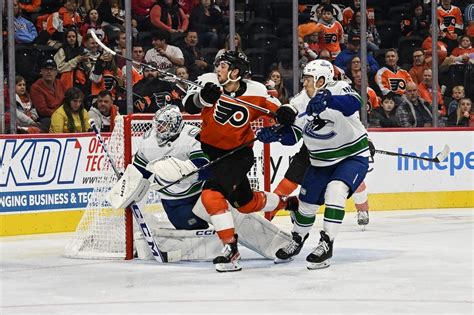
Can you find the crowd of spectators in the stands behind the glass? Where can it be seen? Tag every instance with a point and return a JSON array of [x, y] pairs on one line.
[[64, 77]]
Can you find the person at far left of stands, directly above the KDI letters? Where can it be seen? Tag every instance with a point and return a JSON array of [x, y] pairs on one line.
[[26, 115]]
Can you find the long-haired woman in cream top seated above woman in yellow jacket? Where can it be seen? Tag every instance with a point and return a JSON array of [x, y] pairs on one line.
[[69, 59]]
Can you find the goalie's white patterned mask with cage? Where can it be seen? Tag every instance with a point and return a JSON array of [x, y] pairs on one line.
[[168, 123]]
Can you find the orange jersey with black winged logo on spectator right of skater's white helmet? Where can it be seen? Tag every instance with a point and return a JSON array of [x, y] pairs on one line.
[[392, 81]]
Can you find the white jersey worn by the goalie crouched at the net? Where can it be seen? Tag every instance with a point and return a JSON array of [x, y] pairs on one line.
[[185, 147]]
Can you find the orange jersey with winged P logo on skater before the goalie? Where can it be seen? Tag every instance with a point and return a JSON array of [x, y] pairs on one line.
[[226, 125]]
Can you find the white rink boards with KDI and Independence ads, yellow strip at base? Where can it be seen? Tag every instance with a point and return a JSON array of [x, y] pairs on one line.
[[45, 181]]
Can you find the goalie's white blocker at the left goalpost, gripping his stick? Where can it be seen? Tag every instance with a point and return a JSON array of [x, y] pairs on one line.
[[131, 187]]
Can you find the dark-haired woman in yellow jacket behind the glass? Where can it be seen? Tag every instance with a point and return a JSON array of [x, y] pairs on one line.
[[71, 117]]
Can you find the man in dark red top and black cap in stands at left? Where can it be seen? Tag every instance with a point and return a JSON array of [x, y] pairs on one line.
[[47, 92]]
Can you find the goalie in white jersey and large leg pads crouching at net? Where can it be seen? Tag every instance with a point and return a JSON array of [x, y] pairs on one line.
[[168, 152]]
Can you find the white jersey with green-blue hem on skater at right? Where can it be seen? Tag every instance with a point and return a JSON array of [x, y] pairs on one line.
[[334, 137]]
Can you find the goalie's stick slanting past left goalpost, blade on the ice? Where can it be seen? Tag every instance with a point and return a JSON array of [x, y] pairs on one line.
[[159, 256]]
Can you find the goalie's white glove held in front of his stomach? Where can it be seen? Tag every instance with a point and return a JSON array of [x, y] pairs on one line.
[[171, 169]]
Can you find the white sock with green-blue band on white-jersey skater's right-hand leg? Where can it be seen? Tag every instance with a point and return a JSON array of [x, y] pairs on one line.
[[336, 195]]
